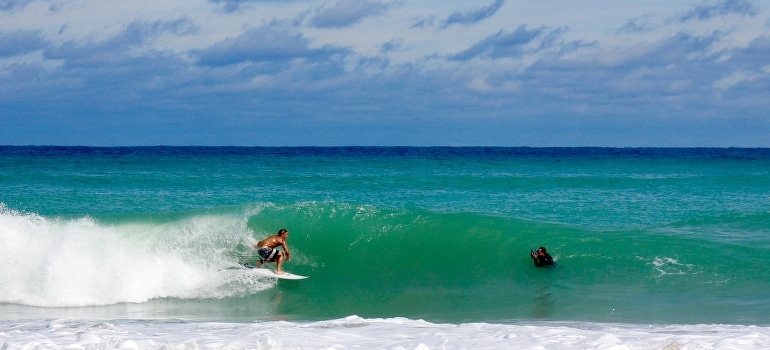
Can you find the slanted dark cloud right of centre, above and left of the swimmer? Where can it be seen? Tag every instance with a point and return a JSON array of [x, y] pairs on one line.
[[504, 44]]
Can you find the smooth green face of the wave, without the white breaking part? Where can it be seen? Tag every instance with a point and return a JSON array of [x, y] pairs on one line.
[[388, 262]]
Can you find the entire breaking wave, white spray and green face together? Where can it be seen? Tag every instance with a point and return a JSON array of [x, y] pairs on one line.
[[386, 262]]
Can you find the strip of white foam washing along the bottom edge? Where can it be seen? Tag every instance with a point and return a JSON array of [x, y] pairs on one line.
[[358, 333]]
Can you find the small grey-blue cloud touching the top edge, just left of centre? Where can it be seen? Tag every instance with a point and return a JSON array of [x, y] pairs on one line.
[[347, 12]]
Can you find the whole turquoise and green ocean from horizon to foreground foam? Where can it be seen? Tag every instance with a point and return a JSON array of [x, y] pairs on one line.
[[405, 248]]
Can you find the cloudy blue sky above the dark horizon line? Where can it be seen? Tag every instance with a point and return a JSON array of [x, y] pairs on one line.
[[541, 73]]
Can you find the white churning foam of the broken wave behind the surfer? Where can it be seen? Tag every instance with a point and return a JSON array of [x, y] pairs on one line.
[[52, 262]]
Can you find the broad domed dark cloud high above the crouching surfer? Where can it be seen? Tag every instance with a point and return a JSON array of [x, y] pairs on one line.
[[266, 44]]
